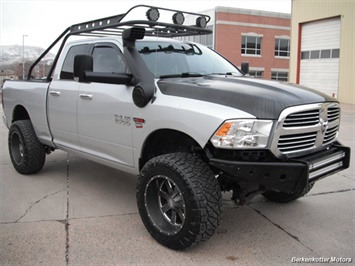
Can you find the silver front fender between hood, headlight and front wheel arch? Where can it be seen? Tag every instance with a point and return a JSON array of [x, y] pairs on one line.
[[197, 119]]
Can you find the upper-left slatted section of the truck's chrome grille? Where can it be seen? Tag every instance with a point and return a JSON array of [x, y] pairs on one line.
[[306, 118]]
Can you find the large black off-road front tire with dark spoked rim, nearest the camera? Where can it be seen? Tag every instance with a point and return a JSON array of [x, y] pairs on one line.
[[194, 193]]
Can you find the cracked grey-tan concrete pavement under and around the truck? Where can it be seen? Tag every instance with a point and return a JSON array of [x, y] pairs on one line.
[[76, 212]]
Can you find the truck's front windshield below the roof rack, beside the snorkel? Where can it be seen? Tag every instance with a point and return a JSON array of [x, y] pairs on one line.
[[169, 59]]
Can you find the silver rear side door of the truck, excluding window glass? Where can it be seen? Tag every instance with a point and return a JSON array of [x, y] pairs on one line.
[[62, 102]]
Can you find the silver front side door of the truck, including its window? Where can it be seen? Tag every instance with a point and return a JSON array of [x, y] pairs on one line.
[[105, 111]]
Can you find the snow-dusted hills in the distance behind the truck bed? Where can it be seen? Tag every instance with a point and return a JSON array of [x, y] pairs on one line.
[[12, 54]]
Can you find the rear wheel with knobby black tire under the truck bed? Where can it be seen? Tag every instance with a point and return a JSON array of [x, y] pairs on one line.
[[26, 152]]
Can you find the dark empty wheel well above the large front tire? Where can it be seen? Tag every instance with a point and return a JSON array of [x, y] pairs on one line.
[[166, 141]]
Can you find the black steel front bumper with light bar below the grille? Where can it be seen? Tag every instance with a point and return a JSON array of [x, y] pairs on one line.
[[287, 176]]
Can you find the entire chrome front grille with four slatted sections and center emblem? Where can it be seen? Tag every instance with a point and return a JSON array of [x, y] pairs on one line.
[[307, 128]]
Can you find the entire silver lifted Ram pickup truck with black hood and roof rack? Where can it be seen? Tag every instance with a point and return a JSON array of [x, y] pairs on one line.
[[177, 114]]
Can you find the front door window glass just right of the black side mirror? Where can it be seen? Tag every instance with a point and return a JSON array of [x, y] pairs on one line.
[[109, 60]]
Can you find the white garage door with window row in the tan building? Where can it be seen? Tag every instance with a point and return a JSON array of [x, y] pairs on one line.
[[320, 43]]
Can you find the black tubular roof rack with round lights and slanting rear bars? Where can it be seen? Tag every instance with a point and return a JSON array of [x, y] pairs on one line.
[[115, 26]]
